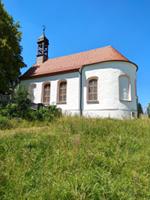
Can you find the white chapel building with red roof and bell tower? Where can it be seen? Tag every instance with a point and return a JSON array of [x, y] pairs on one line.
[[95, 83]]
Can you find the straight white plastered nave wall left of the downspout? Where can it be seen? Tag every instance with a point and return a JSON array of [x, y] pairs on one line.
[[72, 105]]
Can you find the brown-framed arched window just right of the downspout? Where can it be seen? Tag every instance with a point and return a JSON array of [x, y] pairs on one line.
[[92, 90]]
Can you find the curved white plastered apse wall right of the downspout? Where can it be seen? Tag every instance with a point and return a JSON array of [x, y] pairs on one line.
[[109, 104]]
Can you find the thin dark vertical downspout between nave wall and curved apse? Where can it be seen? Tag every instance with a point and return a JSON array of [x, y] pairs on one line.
[[80, 93]]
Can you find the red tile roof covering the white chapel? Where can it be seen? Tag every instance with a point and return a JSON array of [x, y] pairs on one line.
[[73, 62]]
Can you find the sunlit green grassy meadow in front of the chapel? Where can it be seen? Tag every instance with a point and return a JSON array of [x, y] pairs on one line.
[[75, 158]]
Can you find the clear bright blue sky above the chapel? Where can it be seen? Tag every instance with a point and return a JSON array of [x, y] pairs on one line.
[[79, 25]]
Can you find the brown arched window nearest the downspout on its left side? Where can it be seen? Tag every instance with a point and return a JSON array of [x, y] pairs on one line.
[[62, 92]]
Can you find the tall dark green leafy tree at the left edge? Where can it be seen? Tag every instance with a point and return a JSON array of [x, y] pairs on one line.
[[11, 60]]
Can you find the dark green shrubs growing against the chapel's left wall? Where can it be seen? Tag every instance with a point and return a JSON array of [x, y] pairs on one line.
[[20, 107]]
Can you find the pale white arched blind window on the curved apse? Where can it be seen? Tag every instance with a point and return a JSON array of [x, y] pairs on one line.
[[124, 88]]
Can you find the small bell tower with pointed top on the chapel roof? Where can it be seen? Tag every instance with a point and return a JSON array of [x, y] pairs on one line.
[[42, 52]]
